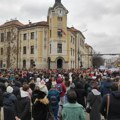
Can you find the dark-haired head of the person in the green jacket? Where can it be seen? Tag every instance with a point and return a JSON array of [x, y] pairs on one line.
[[72, 97]]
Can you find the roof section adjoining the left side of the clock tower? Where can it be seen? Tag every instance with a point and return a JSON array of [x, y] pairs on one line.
[[42, 23]]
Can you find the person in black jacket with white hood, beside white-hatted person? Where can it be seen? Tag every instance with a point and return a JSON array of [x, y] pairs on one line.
[[23, 104]]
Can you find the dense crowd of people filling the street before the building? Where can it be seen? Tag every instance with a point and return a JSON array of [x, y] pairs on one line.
[[59, 94]]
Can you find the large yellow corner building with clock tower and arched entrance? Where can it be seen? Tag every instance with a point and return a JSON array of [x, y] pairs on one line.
[[45, 44]]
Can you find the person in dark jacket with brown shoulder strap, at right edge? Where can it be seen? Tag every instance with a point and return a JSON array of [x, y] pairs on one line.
[[114, 106]]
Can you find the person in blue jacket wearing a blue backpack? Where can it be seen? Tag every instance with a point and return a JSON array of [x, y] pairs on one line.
[[54, 98]]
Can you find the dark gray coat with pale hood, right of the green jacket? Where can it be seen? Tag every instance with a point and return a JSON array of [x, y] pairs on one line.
[[94, 99]]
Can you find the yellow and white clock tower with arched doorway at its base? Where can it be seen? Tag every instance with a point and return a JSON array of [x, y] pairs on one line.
[[57, 19]]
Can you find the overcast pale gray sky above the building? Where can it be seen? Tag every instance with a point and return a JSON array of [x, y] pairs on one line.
[[99, 20]]
